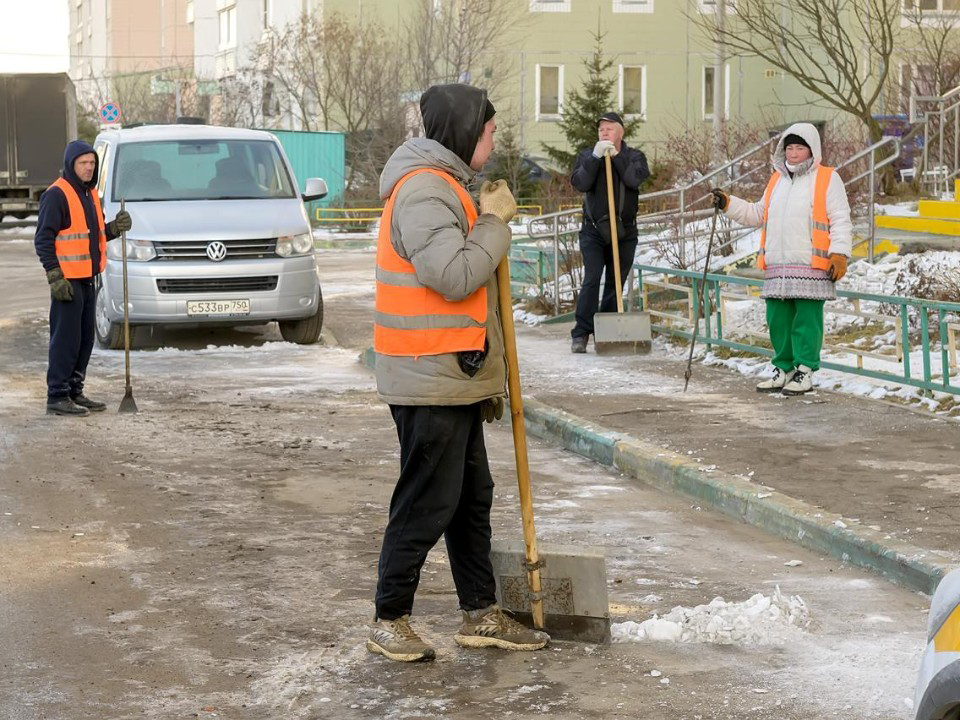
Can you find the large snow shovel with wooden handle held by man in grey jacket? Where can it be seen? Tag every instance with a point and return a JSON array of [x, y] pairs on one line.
[[562, 589]]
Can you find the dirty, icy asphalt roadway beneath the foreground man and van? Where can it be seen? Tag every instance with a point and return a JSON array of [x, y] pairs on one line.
[[215, 554]]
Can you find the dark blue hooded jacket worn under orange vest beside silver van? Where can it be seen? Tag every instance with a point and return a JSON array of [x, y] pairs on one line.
[[55, 213]]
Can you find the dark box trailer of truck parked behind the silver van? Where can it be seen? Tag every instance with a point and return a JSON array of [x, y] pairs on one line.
[[38, 117]]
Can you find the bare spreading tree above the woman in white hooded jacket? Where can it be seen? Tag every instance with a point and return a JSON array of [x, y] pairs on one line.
[[838, 50]]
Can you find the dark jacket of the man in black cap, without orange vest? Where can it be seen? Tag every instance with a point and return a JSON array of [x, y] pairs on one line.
[[590, 177]]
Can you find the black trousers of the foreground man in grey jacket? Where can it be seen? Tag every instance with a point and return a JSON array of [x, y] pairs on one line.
[[445, 488]]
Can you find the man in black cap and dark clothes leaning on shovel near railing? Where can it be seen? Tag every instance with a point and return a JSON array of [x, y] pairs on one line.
[[589, 177]]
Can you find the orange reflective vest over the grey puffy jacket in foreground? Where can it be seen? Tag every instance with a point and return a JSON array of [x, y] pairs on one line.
[[411, 319]]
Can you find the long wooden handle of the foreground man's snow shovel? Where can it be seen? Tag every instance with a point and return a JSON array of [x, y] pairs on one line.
[[520, 441]]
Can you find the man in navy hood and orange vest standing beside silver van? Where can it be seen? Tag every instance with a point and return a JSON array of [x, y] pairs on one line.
[[71, 244]]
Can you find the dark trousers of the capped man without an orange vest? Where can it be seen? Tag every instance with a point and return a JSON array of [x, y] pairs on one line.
[[598, 256]]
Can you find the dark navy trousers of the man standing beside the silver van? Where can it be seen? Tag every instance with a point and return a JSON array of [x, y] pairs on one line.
[[71, 341]]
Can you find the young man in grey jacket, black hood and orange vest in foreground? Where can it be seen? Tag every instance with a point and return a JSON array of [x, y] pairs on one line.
[[441, 368]]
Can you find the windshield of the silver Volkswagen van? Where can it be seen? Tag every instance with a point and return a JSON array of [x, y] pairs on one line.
[[200, 170]]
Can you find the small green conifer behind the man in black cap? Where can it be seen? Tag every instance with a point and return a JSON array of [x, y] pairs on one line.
[[579, 121]]
